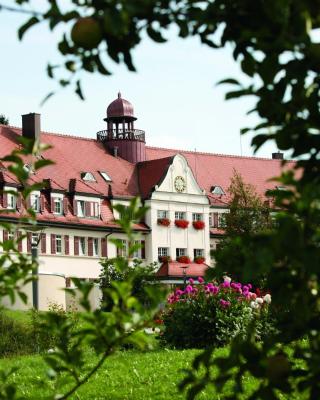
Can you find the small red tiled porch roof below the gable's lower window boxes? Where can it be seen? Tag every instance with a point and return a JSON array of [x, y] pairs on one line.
[[175, 269]]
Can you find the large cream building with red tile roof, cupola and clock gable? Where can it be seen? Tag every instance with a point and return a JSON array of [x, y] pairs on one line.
[[186, 193]]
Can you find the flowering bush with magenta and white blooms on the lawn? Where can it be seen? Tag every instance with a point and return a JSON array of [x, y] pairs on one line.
[[210, 314]]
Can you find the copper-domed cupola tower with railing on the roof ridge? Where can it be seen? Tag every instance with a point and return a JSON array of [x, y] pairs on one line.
[[120, 137]]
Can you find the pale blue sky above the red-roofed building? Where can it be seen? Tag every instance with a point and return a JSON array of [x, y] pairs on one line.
[[174, 91]]
